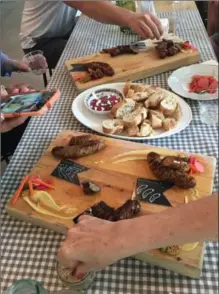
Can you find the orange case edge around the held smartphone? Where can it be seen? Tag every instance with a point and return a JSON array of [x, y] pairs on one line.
[[39, 112]]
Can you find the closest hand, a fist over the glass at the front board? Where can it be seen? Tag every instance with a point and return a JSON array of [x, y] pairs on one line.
[[93, 244]]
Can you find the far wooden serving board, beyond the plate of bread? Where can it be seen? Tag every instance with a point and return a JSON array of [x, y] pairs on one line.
[[132, 67]]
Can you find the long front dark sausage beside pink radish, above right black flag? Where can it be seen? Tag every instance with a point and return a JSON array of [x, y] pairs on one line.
[[179, 176]]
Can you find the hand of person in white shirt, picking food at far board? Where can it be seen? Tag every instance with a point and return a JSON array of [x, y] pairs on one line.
[[147, 25]]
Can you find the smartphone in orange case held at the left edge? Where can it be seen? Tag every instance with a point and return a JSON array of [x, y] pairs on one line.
[[31, 104]]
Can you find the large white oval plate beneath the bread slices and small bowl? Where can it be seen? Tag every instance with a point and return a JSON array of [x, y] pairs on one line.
[[94, 121]]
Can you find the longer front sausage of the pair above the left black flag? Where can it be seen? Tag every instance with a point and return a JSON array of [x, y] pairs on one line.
[[88, 148]]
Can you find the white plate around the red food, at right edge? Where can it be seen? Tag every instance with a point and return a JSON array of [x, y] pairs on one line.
[[180, 79]]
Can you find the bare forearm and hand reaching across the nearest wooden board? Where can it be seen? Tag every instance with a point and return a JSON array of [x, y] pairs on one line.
[[94, 244]]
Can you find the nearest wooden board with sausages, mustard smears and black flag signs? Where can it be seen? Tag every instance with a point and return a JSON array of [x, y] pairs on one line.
[[59, 188]]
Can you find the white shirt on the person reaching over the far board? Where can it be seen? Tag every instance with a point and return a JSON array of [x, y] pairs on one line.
[[45, 19]]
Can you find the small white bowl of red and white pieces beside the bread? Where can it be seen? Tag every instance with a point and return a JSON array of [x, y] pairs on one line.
[[94, 101]]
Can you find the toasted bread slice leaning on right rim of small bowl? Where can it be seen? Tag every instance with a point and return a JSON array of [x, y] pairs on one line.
[[122, 108]]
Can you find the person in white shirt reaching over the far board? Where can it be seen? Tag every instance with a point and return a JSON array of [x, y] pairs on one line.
[[47, 25]]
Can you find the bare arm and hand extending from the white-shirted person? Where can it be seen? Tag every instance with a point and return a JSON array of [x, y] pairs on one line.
[[146, 25]]
